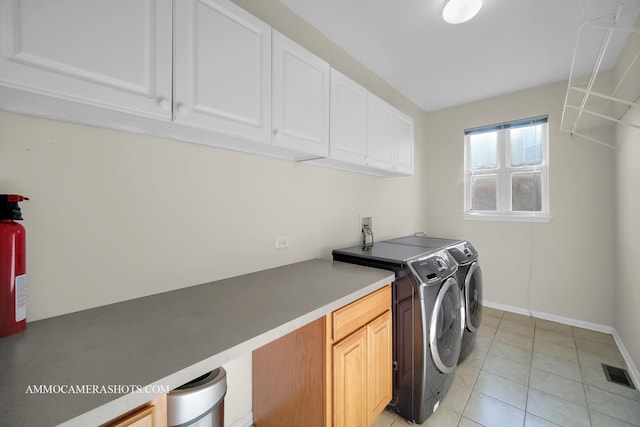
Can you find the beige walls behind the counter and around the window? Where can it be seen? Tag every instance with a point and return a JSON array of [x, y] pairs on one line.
[[116, 215]]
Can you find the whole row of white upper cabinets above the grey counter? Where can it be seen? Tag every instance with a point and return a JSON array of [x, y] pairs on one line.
[[204, 71]]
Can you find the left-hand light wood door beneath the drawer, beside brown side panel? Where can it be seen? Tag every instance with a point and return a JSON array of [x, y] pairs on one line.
[[349, 391]]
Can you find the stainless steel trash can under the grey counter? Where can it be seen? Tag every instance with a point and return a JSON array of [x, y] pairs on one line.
[[198, 403]]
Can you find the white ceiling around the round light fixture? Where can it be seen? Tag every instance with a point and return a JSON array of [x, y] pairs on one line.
[[509, 46]]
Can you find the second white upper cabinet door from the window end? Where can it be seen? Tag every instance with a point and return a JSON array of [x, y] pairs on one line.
[[380, 142]]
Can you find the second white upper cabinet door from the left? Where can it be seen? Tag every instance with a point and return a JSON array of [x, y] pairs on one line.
[[222, 66]]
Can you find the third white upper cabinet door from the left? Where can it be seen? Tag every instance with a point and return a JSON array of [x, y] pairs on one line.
[[300, 98]]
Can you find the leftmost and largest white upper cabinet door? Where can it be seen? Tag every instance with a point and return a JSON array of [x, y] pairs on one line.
[[114, 54]]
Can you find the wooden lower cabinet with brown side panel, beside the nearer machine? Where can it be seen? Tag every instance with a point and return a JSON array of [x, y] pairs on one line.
[[333, 372]]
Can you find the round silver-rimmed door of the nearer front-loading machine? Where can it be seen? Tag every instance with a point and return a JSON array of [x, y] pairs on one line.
[[445, 328]]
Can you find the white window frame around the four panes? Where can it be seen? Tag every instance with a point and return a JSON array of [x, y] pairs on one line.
[[504, 173]]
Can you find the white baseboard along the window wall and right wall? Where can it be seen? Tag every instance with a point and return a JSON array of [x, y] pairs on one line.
[[631, 367]]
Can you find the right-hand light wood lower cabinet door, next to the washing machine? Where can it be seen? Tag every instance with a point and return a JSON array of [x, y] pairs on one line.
[[379, 365]]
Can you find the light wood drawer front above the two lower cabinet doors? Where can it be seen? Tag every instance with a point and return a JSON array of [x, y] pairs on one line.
[[350, 318]]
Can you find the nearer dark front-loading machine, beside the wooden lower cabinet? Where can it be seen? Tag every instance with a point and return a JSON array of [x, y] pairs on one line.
[[428, 318]]
